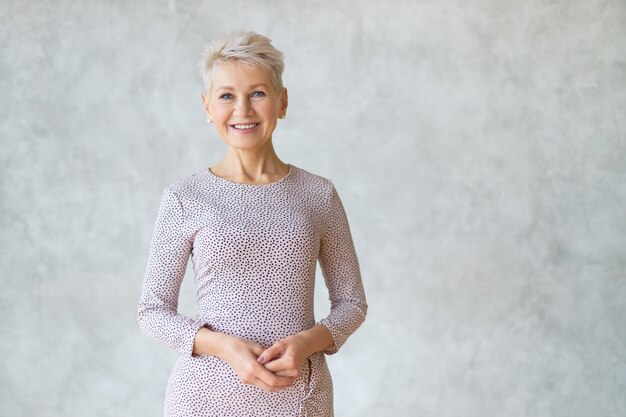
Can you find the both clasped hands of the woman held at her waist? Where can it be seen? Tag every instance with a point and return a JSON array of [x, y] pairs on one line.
[[271, 369]]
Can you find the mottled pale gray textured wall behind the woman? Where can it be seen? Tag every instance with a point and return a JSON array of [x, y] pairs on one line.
[[479, 148]]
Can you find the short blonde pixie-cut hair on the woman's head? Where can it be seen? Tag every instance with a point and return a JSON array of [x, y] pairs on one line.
[[246, 47]]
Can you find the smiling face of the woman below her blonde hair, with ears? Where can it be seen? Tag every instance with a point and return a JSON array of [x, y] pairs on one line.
[[243, 105]]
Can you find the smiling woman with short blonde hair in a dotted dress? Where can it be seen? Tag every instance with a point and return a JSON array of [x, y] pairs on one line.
[[255, 228]]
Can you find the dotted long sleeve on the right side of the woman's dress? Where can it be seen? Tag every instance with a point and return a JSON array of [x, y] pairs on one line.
[[342, 275]]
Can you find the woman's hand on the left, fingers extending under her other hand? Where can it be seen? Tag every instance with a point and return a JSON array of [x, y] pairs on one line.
[[241, 354]]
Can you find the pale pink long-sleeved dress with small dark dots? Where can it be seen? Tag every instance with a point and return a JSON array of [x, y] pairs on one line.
[[254, 250]]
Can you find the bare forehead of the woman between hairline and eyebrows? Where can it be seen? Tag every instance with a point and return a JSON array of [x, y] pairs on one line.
[[239, 75]]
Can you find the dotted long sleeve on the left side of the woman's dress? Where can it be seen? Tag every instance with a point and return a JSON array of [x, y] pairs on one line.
[[157, 313]]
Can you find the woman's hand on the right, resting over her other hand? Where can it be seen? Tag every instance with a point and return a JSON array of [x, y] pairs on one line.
[[285, 357]]
